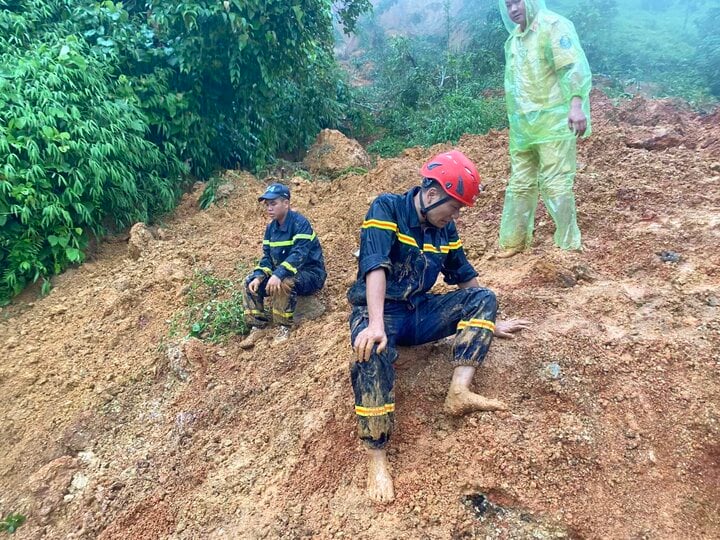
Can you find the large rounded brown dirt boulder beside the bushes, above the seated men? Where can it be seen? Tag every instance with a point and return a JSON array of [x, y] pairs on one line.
[[333, 154]]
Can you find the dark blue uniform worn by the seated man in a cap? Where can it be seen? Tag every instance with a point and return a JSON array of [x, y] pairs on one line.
[[291, 252]]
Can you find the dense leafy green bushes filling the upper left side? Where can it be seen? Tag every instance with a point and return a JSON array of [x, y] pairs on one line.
[[104, 106]]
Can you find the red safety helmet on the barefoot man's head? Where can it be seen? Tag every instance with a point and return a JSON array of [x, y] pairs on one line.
[[456, 174]]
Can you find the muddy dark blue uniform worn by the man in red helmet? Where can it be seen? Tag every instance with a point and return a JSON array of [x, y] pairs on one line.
[[412, 256]]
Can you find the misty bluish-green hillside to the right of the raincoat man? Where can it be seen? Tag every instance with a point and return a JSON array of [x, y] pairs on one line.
[[650, 45]]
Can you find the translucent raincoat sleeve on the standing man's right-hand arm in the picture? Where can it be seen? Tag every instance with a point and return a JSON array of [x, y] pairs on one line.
[[571, 65]]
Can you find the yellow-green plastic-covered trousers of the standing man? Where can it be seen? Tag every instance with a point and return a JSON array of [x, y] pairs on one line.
[[548, 169]]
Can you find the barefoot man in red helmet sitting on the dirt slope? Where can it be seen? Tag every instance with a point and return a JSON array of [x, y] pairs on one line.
[[405, 242]]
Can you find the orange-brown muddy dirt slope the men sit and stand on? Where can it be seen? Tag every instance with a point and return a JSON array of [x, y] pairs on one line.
[[112, 430]]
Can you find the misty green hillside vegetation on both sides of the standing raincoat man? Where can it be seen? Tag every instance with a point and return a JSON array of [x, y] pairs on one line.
[[430, 87]]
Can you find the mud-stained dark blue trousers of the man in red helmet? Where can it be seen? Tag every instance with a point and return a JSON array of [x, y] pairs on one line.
[[467, 313]]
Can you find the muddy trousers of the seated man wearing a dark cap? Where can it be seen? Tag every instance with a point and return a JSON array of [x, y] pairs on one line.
[[261, 308]]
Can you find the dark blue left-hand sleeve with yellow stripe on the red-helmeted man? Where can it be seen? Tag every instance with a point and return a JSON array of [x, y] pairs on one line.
[[377, 236]]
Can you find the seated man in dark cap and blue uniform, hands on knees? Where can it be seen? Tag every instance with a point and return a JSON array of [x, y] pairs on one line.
[[292, 264]]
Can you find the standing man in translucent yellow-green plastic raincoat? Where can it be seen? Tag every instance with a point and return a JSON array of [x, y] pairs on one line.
[[547, 84]]
